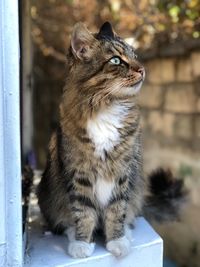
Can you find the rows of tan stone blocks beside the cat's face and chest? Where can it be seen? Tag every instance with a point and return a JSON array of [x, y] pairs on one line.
[[170, 100]]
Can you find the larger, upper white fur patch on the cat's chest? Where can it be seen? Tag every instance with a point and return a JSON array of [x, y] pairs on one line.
[[103, 129]]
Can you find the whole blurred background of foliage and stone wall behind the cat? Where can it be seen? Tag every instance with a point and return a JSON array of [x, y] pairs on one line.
[[166, 35]]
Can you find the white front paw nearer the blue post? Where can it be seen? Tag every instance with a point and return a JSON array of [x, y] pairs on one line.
[[80, 249]]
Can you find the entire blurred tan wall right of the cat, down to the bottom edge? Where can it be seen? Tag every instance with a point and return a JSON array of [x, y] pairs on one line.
[[170, 103]]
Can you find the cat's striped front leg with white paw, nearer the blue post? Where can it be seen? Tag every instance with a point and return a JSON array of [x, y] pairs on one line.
[[81, 234]]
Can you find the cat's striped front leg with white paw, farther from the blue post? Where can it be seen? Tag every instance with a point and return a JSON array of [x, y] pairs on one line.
[[117, 241]]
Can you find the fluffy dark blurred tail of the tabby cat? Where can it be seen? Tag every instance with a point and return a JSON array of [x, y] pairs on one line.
[[166, 198]]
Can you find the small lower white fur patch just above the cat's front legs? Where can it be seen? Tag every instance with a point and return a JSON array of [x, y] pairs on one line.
[[103, 191]]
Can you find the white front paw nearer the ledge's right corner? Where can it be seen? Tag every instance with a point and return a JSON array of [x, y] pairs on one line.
[[119, 247]]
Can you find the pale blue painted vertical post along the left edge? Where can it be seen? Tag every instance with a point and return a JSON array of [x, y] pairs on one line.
[[10, 165]]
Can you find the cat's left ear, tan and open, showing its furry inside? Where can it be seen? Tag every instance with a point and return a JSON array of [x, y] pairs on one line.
[[81, 41]]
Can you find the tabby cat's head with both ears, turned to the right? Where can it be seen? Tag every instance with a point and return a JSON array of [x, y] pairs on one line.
[[103, 63]]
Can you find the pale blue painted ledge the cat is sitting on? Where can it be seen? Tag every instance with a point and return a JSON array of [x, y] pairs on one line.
[[49, 250]]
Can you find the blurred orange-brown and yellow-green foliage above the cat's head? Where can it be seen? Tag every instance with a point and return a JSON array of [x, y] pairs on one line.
[[151, 23]]
